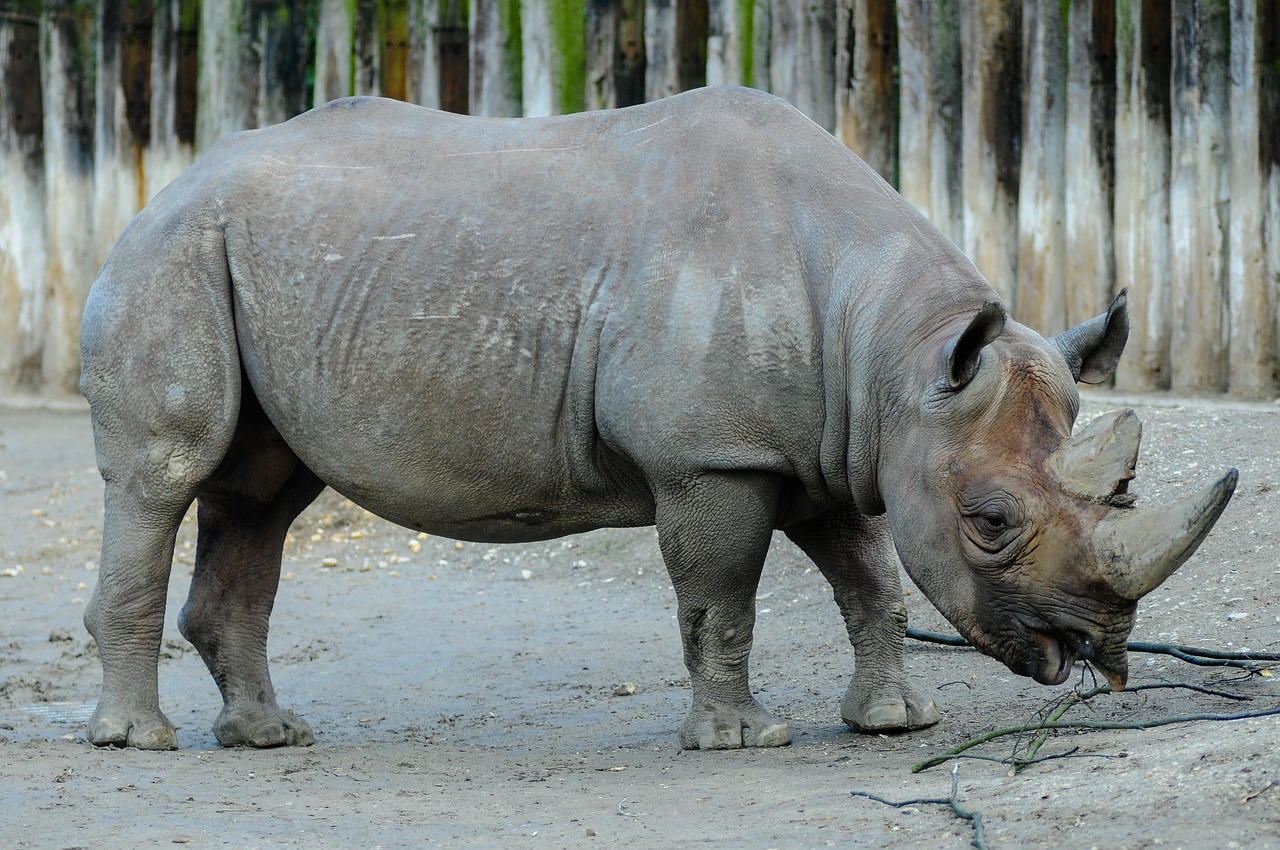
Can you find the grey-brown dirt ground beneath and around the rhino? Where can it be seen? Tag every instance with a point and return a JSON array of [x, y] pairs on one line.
[[481, 696]]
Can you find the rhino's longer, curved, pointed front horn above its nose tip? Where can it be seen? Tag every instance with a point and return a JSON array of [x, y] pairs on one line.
[[1140, 549]]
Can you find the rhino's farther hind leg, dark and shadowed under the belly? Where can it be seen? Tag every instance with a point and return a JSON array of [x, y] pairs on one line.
[[245, 511]]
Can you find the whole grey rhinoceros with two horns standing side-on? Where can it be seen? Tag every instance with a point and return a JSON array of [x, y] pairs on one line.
[[703, 314]]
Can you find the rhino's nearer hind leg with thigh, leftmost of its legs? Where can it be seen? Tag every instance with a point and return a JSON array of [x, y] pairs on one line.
[[163, 389]]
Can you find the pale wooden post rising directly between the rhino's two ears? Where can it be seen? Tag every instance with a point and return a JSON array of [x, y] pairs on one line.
[[1041, 295]]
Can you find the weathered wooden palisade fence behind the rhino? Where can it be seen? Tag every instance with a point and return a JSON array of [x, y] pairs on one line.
[[1071, 149]]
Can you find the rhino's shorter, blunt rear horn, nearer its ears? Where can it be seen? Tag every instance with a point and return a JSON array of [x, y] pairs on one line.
[[1099, 463]]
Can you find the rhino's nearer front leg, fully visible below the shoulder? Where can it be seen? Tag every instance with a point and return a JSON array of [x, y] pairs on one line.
[[715, 533]]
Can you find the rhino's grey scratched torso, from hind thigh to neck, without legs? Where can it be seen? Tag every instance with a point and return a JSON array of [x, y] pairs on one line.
[[472, 325]]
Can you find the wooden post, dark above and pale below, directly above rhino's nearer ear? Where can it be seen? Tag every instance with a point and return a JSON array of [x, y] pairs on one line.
[[991, 61]]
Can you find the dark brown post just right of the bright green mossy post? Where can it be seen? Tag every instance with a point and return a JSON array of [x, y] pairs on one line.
[[615, 53]]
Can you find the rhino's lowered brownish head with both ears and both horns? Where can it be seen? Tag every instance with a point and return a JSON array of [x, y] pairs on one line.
[[1023, 536]]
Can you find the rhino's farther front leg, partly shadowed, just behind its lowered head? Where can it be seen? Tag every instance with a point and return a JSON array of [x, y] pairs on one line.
[[856, 555]]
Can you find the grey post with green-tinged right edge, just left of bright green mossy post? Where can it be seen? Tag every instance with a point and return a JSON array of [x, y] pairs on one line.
[[496, 58]]
